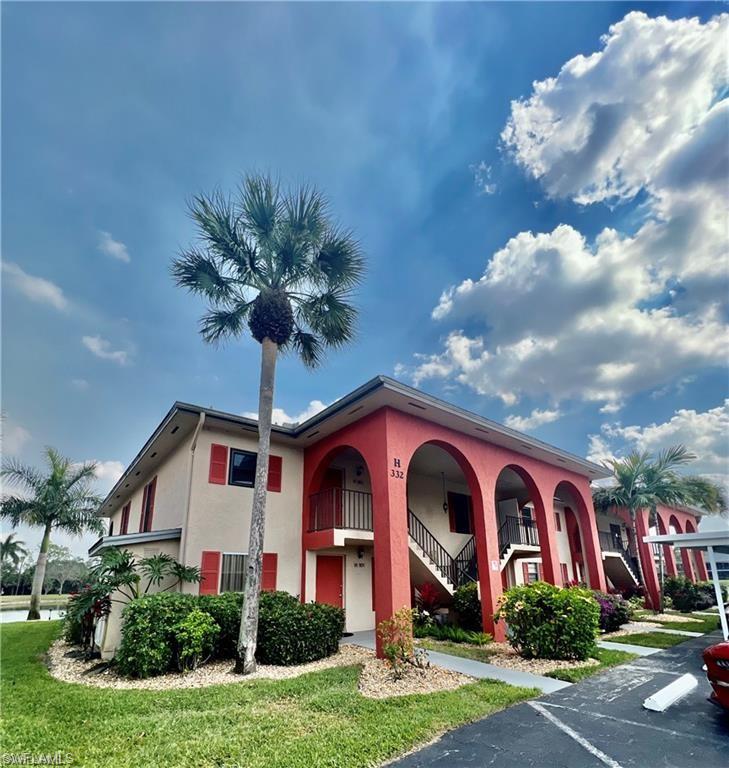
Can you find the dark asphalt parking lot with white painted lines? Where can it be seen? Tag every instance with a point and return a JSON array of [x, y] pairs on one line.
[[599, 722]]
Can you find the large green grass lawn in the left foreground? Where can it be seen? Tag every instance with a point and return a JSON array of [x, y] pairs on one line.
[[318, 719]]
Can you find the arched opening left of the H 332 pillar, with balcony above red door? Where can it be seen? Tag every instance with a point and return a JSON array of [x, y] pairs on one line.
[[338, 543]]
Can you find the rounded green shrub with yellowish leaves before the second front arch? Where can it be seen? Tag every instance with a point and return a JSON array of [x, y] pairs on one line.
[[548, 622]]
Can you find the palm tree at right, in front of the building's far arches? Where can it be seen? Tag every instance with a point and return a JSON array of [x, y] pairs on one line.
[[644, 481]]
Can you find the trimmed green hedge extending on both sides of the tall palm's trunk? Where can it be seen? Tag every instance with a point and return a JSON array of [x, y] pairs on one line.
[[288, 631]]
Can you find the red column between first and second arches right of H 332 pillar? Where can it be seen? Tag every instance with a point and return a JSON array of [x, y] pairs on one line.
[[487, 556]]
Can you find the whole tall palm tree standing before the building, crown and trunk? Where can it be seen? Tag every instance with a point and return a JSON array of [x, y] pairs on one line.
[[272, 260]]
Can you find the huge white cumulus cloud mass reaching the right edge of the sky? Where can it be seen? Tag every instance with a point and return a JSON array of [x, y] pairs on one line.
[[553, 314]]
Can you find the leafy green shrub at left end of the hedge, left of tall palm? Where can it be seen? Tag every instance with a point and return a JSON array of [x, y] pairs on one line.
[[148, 643]]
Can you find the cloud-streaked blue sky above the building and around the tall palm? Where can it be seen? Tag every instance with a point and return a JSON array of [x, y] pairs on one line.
[[113, 115]]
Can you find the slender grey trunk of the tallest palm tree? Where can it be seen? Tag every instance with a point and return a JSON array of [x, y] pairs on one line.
[[246, 660]]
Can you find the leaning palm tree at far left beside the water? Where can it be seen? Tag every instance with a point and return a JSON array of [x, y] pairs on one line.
[[60, 499]]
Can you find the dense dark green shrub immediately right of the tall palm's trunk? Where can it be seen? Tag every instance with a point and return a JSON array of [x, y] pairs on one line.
[[290, 632]]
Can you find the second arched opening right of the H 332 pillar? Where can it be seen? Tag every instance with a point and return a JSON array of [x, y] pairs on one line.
[[520, 516]]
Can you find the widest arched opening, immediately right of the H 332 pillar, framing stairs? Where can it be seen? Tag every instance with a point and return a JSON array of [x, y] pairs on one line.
[[441, 486]]
